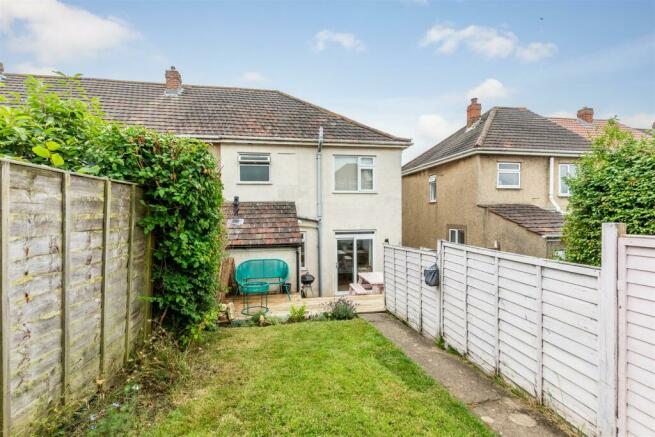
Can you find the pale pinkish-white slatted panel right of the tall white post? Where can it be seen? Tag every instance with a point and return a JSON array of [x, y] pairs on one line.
[[636, 342]]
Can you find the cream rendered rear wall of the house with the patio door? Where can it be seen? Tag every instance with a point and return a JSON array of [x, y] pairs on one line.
[[293, 178]]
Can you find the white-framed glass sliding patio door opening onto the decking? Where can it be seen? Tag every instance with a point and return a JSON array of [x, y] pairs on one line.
[[354, 255]]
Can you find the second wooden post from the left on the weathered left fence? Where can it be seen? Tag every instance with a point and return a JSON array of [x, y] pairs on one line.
[[65, 284]]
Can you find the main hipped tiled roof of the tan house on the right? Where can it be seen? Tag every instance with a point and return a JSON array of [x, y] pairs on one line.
[[503, 129]]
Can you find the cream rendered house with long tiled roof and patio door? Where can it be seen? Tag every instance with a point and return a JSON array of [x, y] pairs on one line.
[[343, 178]]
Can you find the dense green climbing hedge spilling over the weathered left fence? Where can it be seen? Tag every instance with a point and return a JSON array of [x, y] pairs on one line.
[[182, 185]]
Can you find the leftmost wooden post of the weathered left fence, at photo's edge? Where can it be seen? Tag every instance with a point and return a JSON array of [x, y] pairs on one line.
[[4, 296]]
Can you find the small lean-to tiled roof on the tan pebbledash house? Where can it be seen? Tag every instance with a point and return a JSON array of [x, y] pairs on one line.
[[531, 217]]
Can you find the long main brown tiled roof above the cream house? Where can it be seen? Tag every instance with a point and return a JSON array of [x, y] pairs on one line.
[[216, 112]]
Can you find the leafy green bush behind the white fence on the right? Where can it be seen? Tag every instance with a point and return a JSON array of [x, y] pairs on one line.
[[614, 183]]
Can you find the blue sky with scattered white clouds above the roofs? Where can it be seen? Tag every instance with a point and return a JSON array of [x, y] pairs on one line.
[[408, 67]]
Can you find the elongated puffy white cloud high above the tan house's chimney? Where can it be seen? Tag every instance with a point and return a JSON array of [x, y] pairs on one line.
[[486, 41]]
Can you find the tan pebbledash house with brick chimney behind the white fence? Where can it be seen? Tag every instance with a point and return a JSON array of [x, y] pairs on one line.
[[498, 182]]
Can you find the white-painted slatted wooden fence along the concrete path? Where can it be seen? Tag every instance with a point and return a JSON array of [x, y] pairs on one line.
[[547, 327]]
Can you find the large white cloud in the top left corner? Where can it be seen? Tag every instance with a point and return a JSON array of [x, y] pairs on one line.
[[52, 31]]
